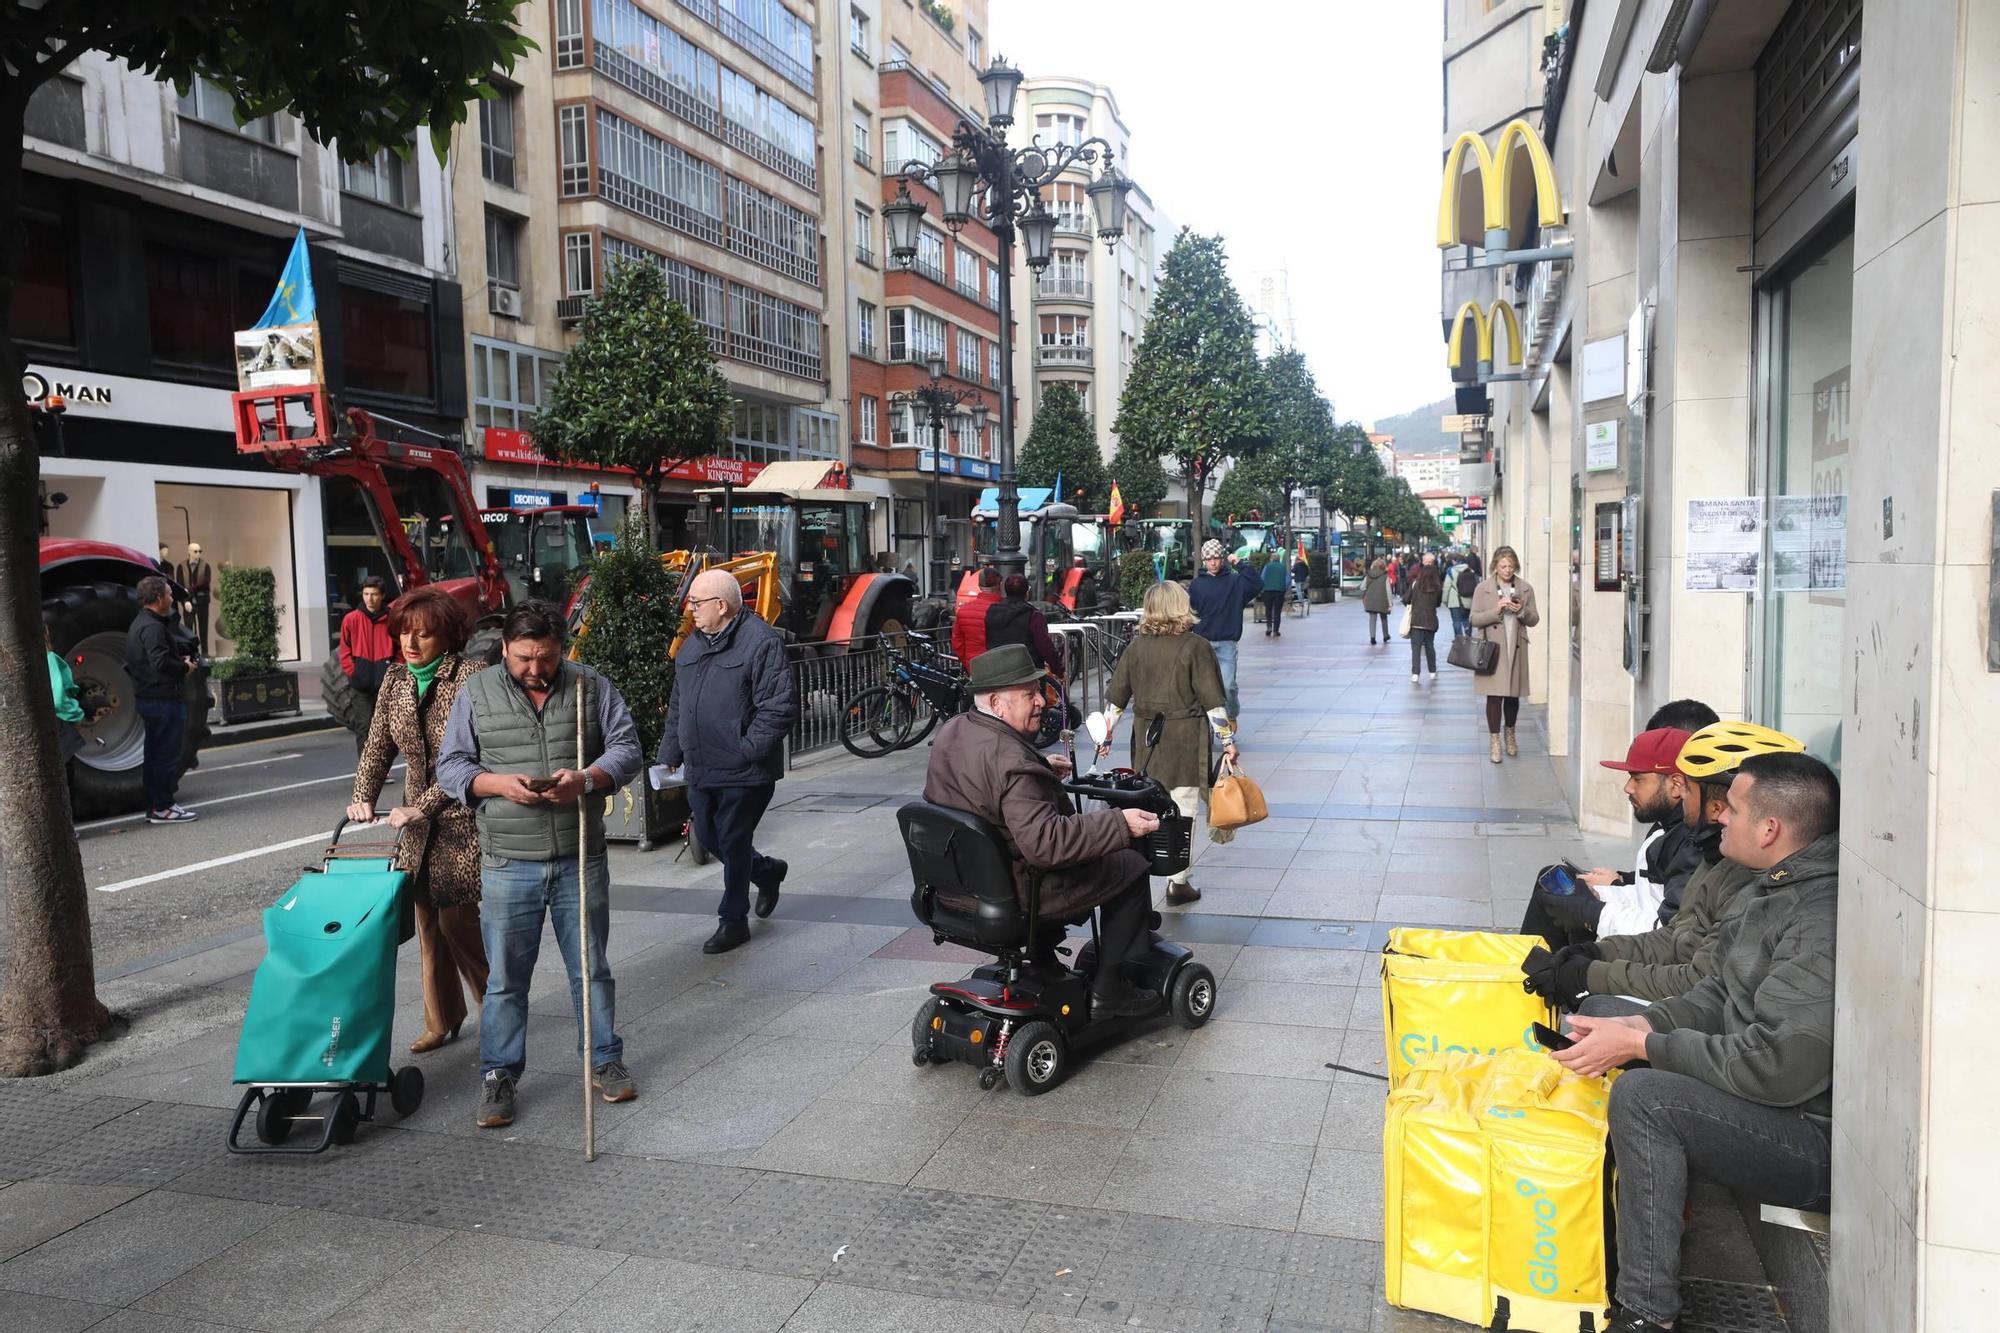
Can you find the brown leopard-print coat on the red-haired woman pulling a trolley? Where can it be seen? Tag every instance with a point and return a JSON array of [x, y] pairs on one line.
[[445, 846]]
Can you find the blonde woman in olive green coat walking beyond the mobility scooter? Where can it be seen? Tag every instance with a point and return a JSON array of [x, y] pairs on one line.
[[1169, 672]]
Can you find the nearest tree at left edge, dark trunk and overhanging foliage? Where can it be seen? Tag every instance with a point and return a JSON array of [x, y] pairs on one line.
[[365, 73]]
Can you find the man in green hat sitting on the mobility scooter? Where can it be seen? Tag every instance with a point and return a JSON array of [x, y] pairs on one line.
[[987, 766]]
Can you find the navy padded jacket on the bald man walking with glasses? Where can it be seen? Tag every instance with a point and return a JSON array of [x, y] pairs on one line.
[[733, 708]]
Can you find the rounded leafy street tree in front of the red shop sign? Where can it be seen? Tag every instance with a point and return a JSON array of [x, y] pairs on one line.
[[641, 389]]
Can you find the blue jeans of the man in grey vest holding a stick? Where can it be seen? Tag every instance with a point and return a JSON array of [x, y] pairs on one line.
[[517, 896]]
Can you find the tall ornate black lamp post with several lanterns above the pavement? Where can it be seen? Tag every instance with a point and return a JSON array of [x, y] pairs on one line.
[[1003, 187]]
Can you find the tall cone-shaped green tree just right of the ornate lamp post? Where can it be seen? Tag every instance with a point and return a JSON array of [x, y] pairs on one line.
[[1197, 391]]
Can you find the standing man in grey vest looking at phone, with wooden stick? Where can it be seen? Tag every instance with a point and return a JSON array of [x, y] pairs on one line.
[[507, 754]]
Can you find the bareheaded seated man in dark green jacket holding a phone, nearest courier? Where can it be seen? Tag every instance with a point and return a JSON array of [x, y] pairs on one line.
[[1743, 1066]]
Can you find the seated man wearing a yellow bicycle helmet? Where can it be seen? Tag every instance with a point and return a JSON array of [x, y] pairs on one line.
[[1623, 974]]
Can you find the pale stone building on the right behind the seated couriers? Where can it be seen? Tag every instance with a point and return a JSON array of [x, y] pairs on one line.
[[1745, 463]]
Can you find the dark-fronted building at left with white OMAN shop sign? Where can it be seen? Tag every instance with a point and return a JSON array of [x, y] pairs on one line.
[[155, 229]]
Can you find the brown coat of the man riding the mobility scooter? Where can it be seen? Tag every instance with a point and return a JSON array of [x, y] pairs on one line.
[[985, 768]]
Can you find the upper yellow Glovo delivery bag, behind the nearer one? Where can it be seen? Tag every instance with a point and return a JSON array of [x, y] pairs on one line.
[[1449, 992]]
